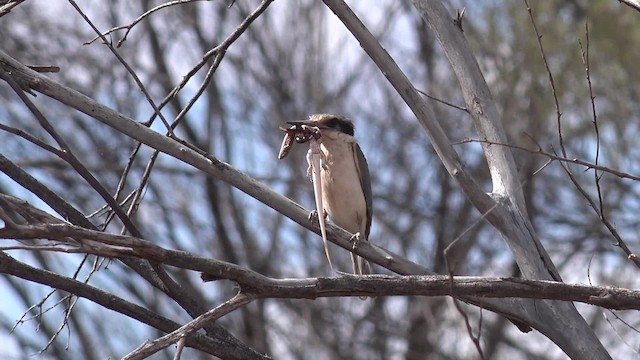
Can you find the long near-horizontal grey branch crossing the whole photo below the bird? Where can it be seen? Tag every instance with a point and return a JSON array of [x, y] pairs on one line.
[[260, 286]]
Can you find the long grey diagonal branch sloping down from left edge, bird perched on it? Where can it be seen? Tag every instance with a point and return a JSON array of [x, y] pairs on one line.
[[202, 161]]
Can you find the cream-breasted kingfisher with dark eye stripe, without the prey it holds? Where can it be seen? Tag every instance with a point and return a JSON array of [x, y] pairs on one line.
[[346, 184]]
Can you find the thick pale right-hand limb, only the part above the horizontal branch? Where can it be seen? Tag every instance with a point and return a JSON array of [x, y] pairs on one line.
[[511, 217]]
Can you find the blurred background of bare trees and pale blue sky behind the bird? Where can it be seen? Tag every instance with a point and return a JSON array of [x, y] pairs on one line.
[[296, 59]]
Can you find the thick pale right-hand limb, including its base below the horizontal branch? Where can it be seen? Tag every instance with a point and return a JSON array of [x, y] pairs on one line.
[[559, 321]]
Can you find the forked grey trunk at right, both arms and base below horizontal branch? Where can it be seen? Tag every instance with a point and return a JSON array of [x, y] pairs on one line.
[[559, 321]]
